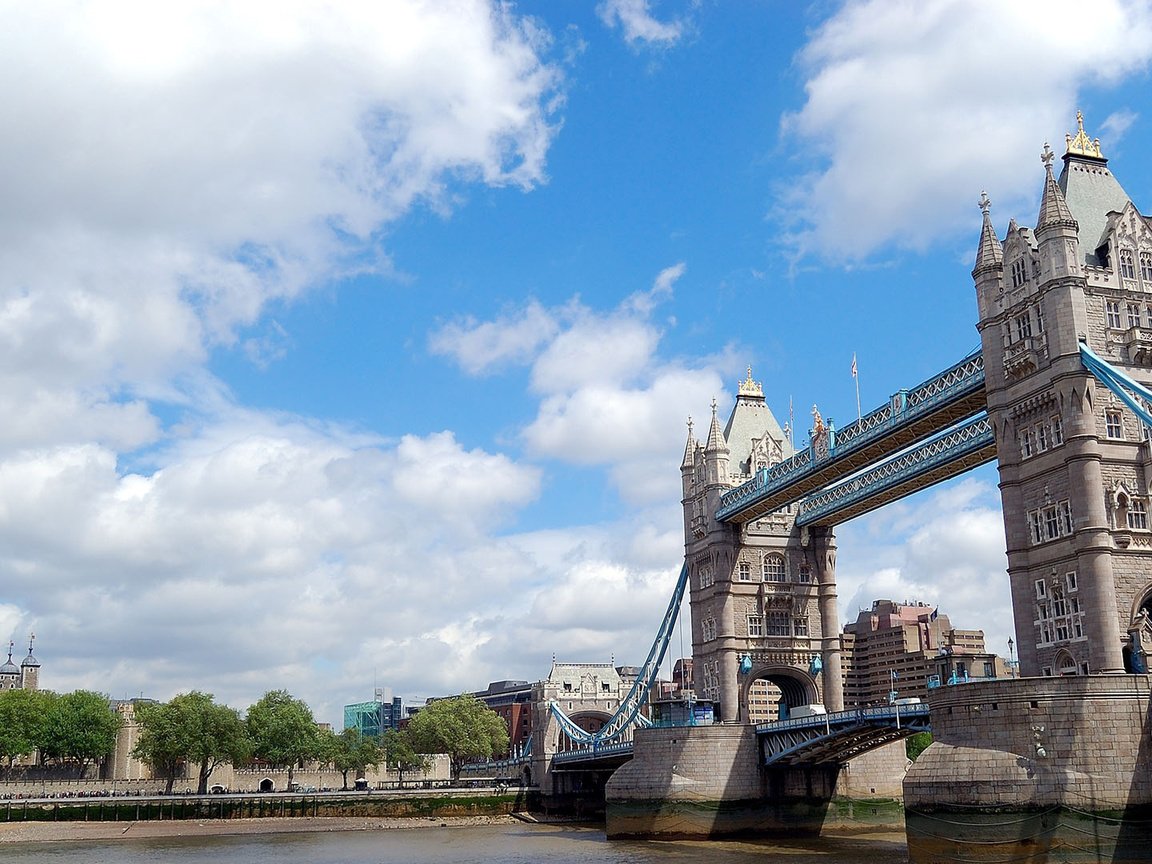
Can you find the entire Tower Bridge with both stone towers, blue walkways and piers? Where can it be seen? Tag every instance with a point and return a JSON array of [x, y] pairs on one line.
[[1059, 398]]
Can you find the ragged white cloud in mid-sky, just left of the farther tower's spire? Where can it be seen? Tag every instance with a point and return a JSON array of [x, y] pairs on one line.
[[608, 397]]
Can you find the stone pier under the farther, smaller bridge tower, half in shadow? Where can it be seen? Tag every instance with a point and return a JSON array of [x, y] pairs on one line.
[[708, 782]]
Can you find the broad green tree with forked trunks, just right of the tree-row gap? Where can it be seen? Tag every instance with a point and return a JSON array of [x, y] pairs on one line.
[[191, 730]]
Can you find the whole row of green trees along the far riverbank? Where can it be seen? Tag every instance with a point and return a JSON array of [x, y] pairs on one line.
[[194, 734]]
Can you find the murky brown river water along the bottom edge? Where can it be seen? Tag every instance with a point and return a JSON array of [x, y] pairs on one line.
[[488, 845]]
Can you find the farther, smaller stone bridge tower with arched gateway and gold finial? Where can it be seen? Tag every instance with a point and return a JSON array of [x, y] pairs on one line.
[[763, 595]]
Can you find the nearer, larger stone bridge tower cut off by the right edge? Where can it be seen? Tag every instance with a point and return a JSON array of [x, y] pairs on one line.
[[1075, 465]]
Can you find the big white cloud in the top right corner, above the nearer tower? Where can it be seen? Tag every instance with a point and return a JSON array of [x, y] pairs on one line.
[[912, 110]]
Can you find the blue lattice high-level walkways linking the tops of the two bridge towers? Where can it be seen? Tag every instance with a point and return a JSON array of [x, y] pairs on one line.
[[910, 418]]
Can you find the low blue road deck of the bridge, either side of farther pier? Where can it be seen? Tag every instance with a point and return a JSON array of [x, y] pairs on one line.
[[818, 740]]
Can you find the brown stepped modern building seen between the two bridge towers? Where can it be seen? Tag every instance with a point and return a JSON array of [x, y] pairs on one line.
[[904, 648]]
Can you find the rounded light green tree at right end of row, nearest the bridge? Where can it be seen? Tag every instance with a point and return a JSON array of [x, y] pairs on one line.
[[463, 727]]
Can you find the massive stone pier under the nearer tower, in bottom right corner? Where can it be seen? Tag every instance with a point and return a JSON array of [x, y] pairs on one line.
[[1022, 769]]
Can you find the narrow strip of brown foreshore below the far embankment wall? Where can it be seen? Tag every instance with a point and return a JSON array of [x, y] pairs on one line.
[[65, 831]]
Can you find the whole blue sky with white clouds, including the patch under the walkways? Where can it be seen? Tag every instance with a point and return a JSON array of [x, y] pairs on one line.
[[353, 345]]
